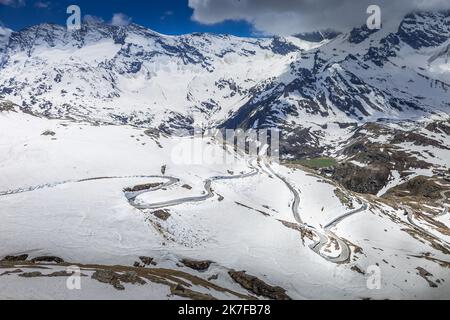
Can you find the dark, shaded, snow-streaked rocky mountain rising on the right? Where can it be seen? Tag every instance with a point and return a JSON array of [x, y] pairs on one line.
[[396, 72]]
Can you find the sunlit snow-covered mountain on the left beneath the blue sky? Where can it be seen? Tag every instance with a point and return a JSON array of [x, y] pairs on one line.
[[134, 75]]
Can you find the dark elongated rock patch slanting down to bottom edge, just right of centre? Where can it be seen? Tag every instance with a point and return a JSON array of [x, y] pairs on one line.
[[258, 286]]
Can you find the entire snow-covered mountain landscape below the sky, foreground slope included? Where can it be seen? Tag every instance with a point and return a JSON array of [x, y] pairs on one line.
[[116, 202]]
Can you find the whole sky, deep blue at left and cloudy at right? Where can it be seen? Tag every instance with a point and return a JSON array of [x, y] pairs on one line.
[[238, 17]]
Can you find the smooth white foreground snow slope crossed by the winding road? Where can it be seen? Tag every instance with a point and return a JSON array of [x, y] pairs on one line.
[[81, 172]]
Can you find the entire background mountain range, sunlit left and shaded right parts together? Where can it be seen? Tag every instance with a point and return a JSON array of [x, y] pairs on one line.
[[134, 75]]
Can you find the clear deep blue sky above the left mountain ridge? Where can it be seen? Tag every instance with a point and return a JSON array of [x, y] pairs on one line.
[[168, 17]]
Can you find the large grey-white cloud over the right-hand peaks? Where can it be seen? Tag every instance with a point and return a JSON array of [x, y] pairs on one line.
[[286, 17]]
